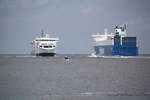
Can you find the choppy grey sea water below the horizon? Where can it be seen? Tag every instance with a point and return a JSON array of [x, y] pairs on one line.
[[79, 78]]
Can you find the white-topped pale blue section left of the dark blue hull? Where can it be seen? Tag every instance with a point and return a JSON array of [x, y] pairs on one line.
[[103, 43]]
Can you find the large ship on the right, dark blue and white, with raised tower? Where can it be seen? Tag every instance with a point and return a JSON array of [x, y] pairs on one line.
[[115, 44]]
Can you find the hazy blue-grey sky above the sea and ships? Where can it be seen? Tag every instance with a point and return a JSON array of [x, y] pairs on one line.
[[73, 21]]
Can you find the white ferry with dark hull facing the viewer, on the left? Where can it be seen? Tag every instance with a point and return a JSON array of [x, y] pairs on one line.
[[44, 45]]
